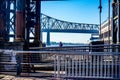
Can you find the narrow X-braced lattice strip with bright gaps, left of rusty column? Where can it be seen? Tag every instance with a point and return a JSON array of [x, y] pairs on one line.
[[10, 24]]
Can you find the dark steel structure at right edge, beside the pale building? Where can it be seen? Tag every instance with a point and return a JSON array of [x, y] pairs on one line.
[[116, 22]]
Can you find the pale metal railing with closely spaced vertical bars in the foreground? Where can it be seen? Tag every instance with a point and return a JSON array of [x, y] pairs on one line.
[[91, 65]]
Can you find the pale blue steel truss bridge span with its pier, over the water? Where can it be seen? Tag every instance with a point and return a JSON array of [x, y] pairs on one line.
[[50, 24]]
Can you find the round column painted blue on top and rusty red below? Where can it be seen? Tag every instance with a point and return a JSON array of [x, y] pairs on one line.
[[20, 20]]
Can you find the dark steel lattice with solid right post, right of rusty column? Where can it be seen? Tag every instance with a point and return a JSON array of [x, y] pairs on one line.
[[33, 29]]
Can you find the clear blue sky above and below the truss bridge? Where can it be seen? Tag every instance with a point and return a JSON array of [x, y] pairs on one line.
[[80, 11]]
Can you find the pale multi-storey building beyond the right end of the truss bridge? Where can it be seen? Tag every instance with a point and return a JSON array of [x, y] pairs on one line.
[[105, 31]]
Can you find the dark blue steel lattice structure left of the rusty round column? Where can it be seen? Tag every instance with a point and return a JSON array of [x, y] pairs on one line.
[[7, 19]]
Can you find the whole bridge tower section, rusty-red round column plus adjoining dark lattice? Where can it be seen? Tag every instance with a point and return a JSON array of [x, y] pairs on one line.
[[28, 21]]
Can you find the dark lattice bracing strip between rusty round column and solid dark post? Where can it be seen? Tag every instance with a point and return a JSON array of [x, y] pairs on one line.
[[30, 20]]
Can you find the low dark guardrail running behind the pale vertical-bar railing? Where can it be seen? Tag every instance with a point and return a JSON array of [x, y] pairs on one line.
[[89, 48]]
